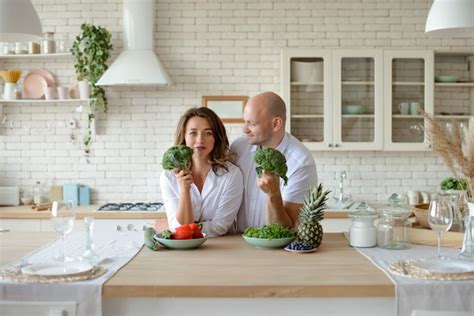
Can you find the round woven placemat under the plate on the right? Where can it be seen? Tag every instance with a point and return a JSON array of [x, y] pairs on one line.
[[406, 269]]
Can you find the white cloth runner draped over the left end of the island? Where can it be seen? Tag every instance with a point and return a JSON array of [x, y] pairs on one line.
[[115, 249]]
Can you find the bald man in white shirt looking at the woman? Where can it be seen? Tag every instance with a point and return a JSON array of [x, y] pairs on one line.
[[266, 200]]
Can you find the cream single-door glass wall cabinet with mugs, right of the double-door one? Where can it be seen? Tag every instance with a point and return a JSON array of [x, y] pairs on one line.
[[408, 86]]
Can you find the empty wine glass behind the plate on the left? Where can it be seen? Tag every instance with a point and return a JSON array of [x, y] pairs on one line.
[[62, 216]]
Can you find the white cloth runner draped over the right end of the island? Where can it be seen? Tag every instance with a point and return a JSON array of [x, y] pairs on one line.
[[418, 294]]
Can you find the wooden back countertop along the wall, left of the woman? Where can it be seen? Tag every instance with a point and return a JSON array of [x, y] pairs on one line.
[[26, 212]]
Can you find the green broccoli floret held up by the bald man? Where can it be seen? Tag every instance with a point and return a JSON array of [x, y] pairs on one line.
[[271, 160]]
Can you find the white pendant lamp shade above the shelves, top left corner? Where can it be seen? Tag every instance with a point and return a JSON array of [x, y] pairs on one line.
[[19, 21]]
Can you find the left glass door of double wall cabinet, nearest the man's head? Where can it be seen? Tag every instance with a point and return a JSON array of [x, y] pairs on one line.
[[306, 87]]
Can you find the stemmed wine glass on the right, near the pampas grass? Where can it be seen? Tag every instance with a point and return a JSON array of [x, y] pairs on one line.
[[440, 217]]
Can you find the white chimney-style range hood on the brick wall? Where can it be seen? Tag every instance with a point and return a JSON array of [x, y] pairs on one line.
[[137, 64]]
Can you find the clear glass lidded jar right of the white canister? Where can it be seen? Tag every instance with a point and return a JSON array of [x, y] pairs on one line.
[[392, 228]]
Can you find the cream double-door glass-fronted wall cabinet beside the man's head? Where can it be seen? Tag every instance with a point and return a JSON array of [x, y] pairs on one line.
[[334, 98]]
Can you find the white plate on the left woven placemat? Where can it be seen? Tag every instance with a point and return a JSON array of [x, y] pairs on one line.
[[57, 268]]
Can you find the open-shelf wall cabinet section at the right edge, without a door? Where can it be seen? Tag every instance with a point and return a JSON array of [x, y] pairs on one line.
[[454, 88]]
